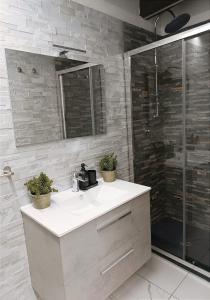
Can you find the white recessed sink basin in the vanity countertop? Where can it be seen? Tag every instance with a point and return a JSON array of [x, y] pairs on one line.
[[79, 203]]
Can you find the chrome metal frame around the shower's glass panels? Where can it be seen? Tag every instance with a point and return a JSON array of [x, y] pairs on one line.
[[127, 62]]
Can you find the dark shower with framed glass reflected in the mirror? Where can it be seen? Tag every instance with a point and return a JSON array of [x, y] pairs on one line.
[[83, 100]]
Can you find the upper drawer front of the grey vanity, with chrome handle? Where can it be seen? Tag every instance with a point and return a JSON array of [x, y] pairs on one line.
[[122, 225]]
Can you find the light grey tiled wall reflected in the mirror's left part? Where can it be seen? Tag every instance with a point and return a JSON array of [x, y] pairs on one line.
[[34, 97]]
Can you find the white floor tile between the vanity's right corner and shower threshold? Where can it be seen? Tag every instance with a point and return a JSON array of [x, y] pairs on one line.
[[163, 273]]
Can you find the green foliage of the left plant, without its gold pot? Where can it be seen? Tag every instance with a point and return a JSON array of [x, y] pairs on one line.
[[40, 185]]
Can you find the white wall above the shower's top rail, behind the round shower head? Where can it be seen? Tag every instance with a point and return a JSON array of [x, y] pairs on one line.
[[198, 9]]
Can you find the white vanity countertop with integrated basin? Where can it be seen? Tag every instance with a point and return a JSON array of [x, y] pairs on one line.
[[61, 219]]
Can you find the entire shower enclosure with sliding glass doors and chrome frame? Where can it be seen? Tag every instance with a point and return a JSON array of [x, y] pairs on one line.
[[171, 142]]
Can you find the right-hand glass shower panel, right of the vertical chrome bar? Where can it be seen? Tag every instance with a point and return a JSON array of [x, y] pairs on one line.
[[198, 150]]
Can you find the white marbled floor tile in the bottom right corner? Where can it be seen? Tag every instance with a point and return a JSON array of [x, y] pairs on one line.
[[193, 288]]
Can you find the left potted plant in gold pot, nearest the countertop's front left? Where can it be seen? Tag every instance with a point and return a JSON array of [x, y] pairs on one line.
[[40, 188]]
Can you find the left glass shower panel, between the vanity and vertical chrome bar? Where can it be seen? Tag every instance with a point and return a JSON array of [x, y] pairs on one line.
[[158, 140]]
